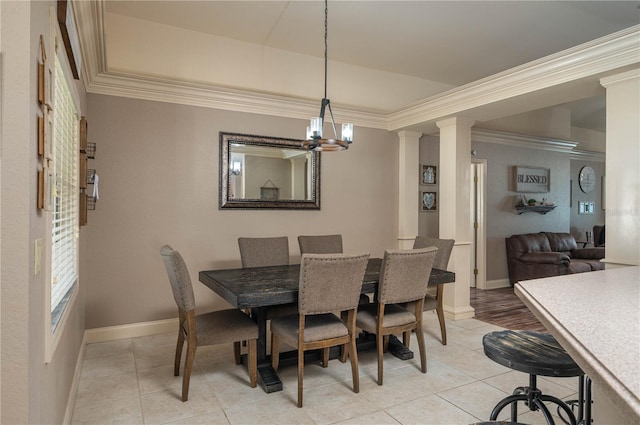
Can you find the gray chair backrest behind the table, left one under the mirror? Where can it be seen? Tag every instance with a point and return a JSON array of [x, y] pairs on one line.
[[264, 252]]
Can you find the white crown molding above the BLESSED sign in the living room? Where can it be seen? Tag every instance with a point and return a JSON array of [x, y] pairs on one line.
[[522, 141]]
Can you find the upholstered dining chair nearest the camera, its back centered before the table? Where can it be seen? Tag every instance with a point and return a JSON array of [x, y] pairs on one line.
[[330, 284]]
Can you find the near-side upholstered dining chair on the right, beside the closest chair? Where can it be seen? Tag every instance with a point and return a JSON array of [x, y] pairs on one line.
[[404, 276]]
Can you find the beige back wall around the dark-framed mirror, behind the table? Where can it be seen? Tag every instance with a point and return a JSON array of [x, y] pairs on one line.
[[158, 169]]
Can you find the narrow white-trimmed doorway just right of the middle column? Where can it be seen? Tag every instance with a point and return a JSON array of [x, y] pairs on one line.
[[479, 223]]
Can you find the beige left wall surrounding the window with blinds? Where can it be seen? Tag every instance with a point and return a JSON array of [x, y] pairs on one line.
[[32, 391]]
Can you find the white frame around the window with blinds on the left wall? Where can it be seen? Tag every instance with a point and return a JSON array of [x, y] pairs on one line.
[[57, 50]]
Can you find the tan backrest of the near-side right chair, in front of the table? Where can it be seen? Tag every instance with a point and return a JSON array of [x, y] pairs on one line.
[[404, 274]]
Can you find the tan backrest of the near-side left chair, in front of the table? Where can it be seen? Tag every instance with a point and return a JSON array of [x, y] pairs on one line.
[[330, 282]]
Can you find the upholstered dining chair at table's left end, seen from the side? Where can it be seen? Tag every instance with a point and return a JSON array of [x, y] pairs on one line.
[[217, 327]]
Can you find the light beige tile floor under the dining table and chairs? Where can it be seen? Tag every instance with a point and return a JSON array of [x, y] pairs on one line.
[[131, 382]]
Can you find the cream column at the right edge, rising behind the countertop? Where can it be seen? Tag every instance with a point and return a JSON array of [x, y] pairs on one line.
[[623, 169]]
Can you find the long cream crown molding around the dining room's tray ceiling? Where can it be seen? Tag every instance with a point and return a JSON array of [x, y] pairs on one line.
[[604, 54]]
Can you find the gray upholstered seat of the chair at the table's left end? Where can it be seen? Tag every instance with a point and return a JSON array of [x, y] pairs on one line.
[[219, 327]]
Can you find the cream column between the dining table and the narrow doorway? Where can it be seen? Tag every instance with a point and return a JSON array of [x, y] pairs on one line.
[[455, 211]]
